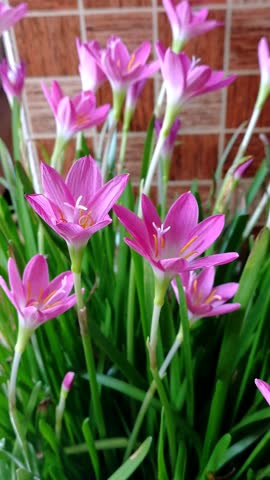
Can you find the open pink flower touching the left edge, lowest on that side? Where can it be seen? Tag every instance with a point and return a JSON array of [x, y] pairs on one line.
[[35, 298]]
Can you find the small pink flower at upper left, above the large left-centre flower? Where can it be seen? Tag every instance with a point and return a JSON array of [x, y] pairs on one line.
[[75, 114]]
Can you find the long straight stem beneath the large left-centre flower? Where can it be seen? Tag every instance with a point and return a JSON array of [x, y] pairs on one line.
[[88, 353]]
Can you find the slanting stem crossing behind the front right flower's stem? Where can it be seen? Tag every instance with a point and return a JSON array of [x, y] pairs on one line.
[[150, 394]]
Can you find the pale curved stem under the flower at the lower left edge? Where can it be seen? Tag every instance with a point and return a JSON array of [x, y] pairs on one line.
[[24, 335]]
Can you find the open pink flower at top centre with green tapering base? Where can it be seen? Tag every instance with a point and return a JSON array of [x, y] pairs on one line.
[[122, 68]]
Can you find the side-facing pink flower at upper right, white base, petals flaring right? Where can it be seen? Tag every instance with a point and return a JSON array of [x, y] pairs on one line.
[[185, 79]]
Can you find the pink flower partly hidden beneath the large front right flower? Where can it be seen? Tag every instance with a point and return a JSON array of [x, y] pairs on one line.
[[203, 299]]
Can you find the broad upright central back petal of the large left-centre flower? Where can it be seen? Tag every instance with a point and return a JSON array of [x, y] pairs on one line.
[[84, 178]]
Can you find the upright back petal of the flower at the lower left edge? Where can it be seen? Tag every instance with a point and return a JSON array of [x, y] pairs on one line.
[[35, 277]]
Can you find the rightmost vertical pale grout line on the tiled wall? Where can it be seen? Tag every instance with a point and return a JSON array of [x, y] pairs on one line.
[[224, 94]]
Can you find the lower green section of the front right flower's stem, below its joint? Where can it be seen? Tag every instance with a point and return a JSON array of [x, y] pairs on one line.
[[168, 415]]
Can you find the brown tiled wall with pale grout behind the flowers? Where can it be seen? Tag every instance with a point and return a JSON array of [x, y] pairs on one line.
[[46, 41]]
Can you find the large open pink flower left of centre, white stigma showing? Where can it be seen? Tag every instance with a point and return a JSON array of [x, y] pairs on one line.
[[77, 207]]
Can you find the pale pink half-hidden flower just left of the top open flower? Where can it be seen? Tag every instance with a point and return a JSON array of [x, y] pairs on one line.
[[91, 74]]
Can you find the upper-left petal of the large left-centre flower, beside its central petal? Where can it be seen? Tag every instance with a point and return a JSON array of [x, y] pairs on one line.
[[54, 187]]
